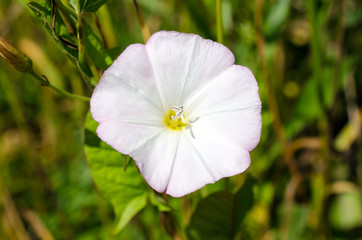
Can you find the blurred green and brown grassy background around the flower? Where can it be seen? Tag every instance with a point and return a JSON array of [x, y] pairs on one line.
[[307, 168]]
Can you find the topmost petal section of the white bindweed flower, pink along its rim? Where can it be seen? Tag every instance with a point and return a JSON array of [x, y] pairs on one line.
[[183, 63]]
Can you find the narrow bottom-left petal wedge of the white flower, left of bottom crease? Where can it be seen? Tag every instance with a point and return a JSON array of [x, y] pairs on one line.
[[156, 157]]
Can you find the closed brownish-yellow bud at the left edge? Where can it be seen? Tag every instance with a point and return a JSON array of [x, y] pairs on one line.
[[19, 60]]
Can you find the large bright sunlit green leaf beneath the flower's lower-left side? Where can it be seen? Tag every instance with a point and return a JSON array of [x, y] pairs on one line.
[[126, 190]]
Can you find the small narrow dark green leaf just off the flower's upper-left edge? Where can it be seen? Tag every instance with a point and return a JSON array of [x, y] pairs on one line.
[[94, 48]]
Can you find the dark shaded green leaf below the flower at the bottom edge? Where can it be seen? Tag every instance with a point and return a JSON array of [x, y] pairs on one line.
[[220, 215]]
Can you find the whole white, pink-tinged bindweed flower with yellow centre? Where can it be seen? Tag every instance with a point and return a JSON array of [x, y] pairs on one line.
[[181, 109]]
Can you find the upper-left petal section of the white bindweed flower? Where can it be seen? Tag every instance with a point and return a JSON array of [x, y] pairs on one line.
[[127, 89]]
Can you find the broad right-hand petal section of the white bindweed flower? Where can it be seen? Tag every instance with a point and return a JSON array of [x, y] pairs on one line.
[[230, 106]]
